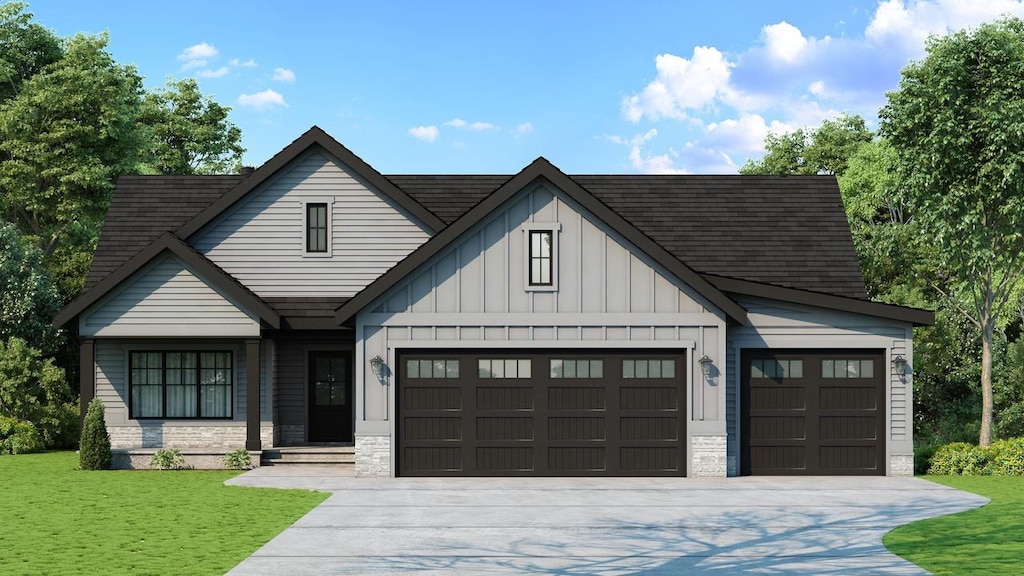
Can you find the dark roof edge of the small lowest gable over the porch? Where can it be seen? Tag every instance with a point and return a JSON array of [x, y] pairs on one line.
[[198, 263]]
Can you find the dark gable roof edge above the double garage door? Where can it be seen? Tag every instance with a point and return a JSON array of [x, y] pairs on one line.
[[540, 169]]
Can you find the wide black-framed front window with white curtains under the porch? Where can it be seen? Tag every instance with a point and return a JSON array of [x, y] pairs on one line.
[[181, 385]]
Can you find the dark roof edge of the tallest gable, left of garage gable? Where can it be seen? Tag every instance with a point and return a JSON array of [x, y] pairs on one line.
[[314, 138]]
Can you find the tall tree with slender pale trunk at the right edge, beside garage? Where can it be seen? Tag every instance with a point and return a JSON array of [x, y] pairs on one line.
[[955, 126]]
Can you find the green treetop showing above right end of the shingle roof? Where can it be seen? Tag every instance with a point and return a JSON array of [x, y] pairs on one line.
[[823, 151]]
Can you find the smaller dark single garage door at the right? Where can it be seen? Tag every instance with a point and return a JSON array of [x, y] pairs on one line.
[[814, 413]]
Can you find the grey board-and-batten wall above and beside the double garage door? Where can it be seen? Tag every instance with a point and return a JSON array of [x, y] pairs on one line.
[[474, 296]]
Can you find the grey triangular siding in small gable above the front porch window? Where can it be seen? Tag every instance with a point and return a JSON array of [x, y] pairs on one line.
[[165, 299]]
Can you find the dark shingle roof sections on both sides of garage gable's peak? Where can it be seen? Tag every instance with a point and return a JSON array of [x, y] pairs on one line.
[[786, 231]]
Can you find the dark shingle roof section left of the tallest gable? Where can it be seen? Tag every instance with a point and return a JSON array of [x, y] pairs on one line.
[[144, 209]]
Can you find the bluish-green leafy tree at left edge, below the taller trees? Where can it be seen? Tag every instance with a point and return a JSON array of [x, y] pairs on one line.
[[28, 300]]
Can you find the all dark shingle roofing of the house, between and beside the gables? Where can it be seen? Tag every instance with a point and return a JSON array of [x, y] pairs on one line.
[[785, 231]]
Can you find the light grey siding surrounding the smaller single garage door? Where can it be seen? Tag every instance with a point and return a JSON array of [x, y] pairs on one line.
[[784, 325]]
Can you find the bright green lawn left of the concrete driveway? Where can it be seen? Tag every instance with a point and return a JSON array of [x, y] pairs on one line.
[[58, 520]]
